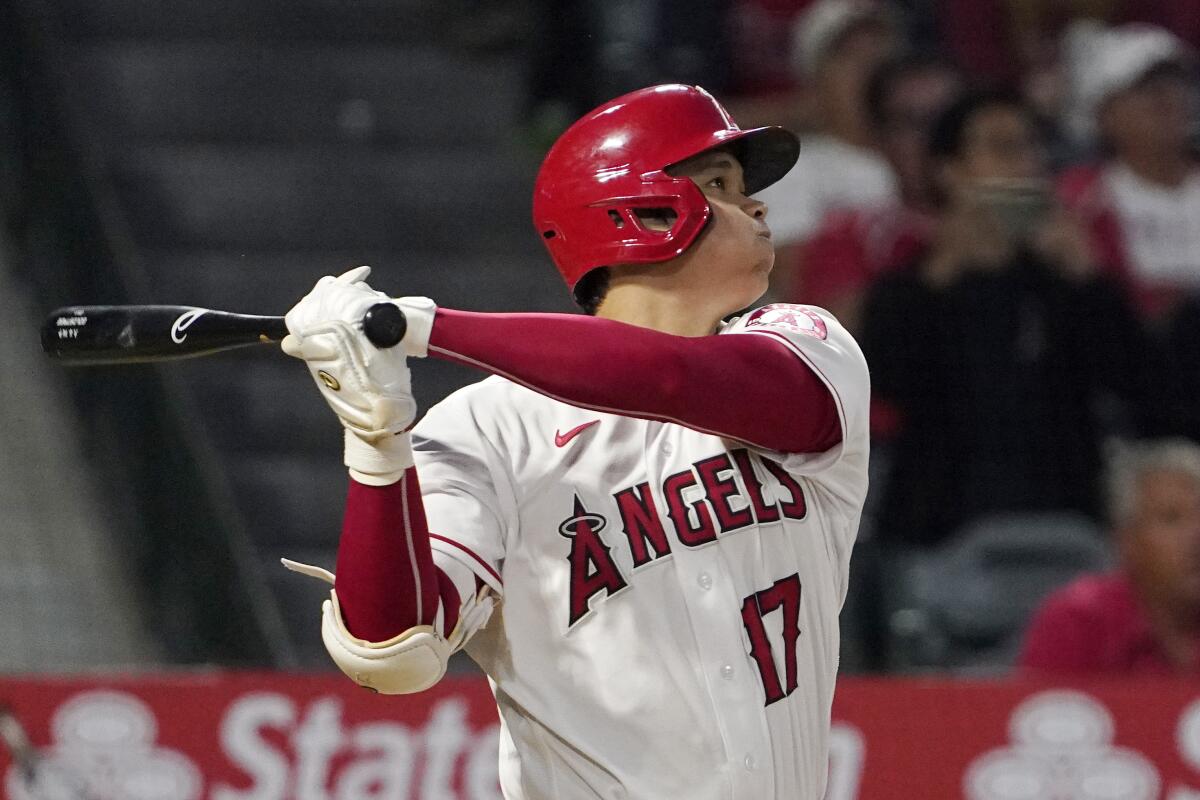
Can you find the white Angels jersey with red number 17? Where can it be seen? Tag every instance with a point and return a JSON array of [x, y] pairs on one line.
[[669, 624]]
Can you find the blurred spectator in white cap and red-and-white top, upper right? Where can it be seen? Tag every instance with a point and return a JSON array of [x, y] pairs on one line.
[[1135, 91]]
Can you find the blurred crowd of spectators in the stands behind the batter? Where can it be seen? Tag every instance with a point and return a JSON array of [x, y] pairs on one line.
[[1001, 200]]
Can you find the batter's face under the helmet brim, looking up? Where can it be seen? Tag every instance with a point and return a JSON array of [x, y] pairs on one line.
[[735, 255]]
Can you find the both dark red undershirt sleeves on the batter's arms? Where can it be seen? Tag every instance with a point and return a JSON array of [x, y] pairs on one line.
[[747, 388]]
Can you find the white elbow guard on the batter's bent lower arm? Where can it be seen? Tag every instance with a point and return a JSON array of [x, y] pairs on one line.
[[404, 665]]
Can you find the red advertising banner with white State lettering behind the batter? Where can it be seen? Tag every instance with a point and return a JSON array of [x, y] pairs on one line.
[[287, 737]]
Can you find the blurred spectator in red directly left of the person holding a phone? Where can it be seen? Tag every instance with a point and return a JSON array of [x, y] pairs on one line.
[[854, 246]]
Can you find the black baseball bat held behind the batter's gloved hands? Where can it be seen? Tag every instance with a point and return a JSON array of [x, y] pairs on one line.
[[93, 335]]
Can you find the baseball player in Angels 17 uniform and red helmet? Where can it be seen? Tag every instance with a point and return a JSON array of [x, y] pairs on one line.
[[640, 525]]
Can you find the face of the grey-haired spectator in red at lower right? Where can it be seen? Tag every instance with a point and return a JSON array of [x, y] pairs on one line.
[[1163, 546]]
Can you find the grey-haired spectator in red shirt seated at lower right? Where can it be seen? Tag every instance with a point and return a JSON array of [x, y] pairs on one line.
[[1144, 618]]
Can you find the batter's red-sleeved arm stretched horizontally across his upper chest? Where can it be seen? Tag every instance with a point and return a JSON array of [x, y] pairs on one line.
[[745, 388]]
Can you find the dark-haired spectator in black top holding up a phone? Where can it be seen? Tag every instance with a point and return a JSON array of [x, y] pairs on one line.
[[997, 346]]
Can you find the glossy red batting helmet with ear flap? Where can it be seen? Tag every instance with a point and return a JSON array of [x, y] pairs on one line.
[[614, 161]]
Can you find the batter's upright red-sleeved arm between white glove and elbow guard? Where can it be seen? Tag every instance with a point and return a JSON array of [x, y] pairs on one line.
[[387, 581]]
